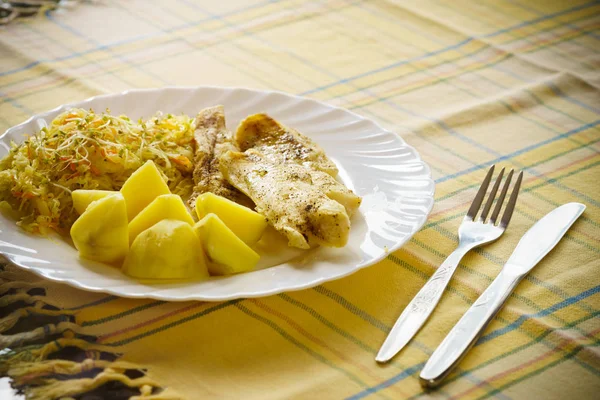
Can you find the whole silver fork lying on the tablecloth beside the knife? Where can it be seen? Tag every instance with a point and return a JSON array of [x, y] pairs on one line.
[[471, 233]]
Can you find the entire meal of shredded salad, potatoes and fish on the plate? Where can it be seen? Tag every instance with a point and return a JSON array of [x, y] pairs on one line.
[[120, 187]]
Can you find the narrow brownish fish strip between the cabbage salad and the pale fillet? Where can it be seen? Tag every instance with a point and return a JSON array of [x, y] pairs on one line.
[[212, 140]]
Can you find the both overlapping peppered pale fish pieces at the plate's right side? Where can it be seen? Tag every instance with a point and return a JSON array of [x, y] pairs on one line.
[[291, 181]]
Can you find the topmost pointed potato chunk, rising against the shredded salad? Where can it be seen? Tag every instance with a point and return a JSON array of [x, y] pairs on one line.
[[142, 187]]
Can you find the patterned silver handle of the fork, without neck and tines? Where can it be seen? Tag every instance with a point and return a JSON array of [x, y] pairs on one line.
[[420, 308]]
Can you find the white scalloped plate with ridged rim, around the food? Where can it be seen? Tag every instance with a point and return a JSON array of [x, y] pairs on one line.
[[394, 182]]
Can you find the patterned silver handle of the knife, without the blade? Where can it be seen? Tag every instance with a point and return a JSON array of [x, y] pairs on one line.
[[468, 329]]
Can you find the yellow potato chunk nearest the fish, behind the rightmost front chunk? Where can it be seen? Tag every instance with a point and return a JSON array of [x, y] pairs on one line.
[[248, 225]]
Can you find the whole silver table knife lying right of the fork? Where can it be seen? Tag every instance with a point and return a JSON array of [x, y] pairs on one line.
[[533, 246]]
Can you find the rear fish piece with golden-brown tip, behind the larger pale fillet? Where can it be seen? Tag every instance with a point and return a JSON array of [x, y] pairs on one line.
[[280, 143]]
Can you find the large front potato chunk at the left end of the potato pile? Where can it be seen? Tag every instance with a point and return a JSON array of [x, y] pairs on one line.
[[101, 232]]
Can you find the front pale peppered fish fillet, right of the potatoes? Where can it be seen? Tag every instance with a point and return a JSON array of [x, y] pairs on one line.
[[287, 195]]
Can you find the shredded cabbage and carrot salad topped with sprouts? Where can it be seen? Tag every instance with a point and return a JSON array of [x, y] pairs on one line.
[[85, 150]]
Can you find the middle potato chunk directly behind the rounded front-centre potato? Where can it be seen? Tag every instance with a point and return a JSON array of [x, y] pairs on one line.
[[166, 206]]
